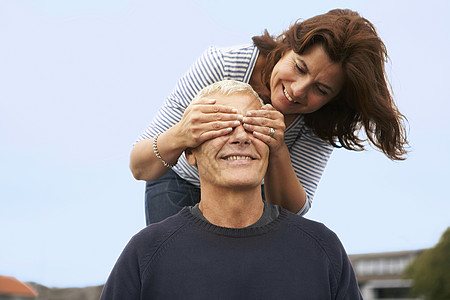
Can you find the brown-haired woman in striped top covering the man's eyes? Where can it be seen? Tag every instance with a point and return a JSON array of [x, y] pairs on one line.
[[323, 81]]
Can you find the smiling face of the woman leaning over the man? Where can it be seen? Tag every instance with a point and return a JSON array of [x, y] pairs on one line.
[[303, 83]]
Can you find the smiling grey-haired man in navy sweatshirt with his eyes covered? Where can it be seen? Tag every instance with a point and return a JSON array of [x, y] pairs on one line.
[[232, 245]]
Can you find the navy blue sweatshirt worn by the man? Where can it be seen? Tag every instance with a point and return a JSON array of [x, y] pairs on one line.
[[185, 257]]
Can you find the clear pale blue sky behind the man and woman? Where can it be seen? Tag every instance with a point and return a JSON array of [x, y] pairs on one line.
[[80, 80]]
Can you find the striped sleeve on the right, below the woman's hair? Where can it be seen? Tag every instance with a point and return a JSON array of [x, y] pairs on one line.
[[309, 157]]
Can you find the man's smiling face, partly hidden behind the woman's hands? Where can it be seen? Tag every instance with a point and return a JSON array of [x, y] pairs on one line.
[[237, 160]]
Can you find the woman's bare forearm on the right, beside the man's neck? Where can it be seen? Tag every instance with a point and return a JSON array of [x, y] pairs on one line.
[[281, 185]]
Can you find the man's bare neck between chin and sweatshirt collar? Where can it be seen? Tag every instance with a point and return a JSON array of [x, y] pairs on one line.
[[231, 208]]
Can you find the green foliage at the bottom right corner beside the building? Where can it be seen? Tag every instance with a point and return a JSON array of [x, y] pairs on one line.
[[430, 271]]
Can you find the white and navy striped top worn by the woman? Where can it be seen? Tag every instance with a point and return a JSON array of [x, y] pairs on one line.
[[309, 154]]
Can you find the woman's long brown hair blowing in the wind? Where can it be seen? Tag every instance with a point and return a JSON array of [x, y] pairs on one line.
[[365, 102]]
